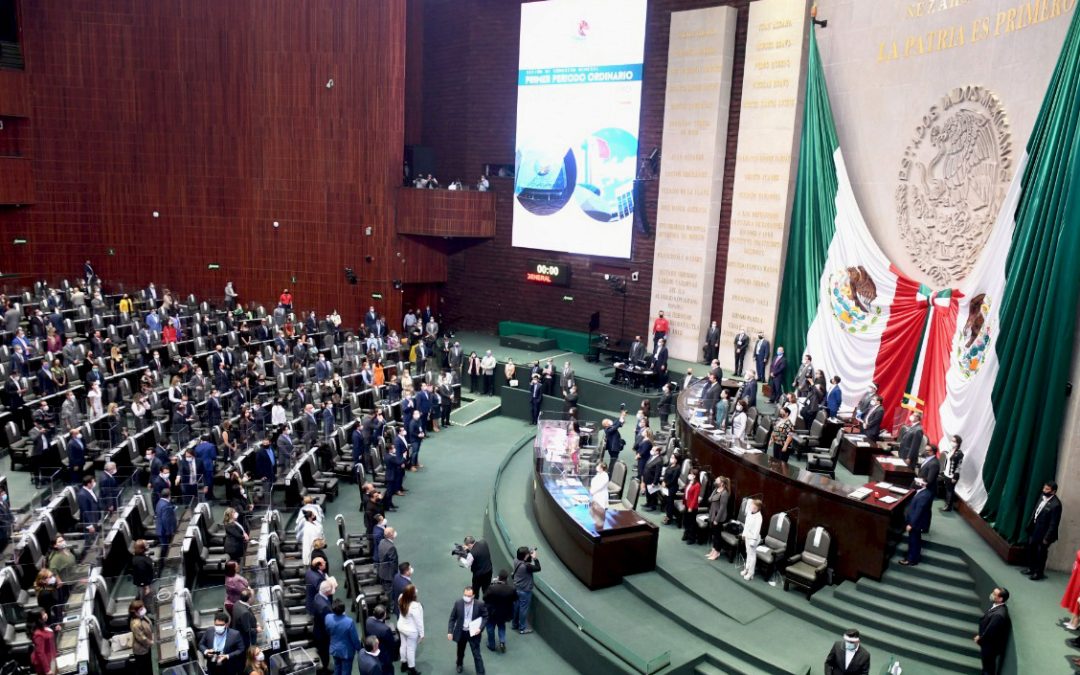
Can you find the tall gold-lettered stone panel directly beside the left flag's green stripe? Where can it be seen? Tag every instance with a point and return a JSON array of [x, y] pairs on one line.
[[768, 146]]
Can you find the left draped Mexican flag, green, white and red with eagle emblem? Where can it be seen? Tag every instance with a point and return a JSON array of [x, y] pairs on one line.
[[842, 301]]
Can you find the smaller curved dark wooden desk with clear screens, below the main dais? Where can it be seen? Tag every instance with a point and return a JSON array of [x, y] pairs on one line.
[[600, 547]]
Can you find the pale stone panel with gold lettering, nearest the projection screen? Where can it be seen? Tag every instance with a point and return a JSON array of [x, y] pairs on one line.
[[692, 180]]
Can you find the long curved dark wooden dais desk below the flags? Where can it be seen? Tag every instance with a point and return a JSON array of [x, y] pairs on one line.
[[860, 529]]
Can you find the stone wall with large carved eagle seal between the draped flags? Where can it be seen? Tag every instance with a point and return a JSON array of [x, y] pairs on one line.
[[916, 85]]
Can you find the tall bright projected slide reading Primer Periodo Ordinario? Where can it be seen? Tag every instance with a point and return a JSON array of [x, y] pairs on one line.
[[579, 93]]
